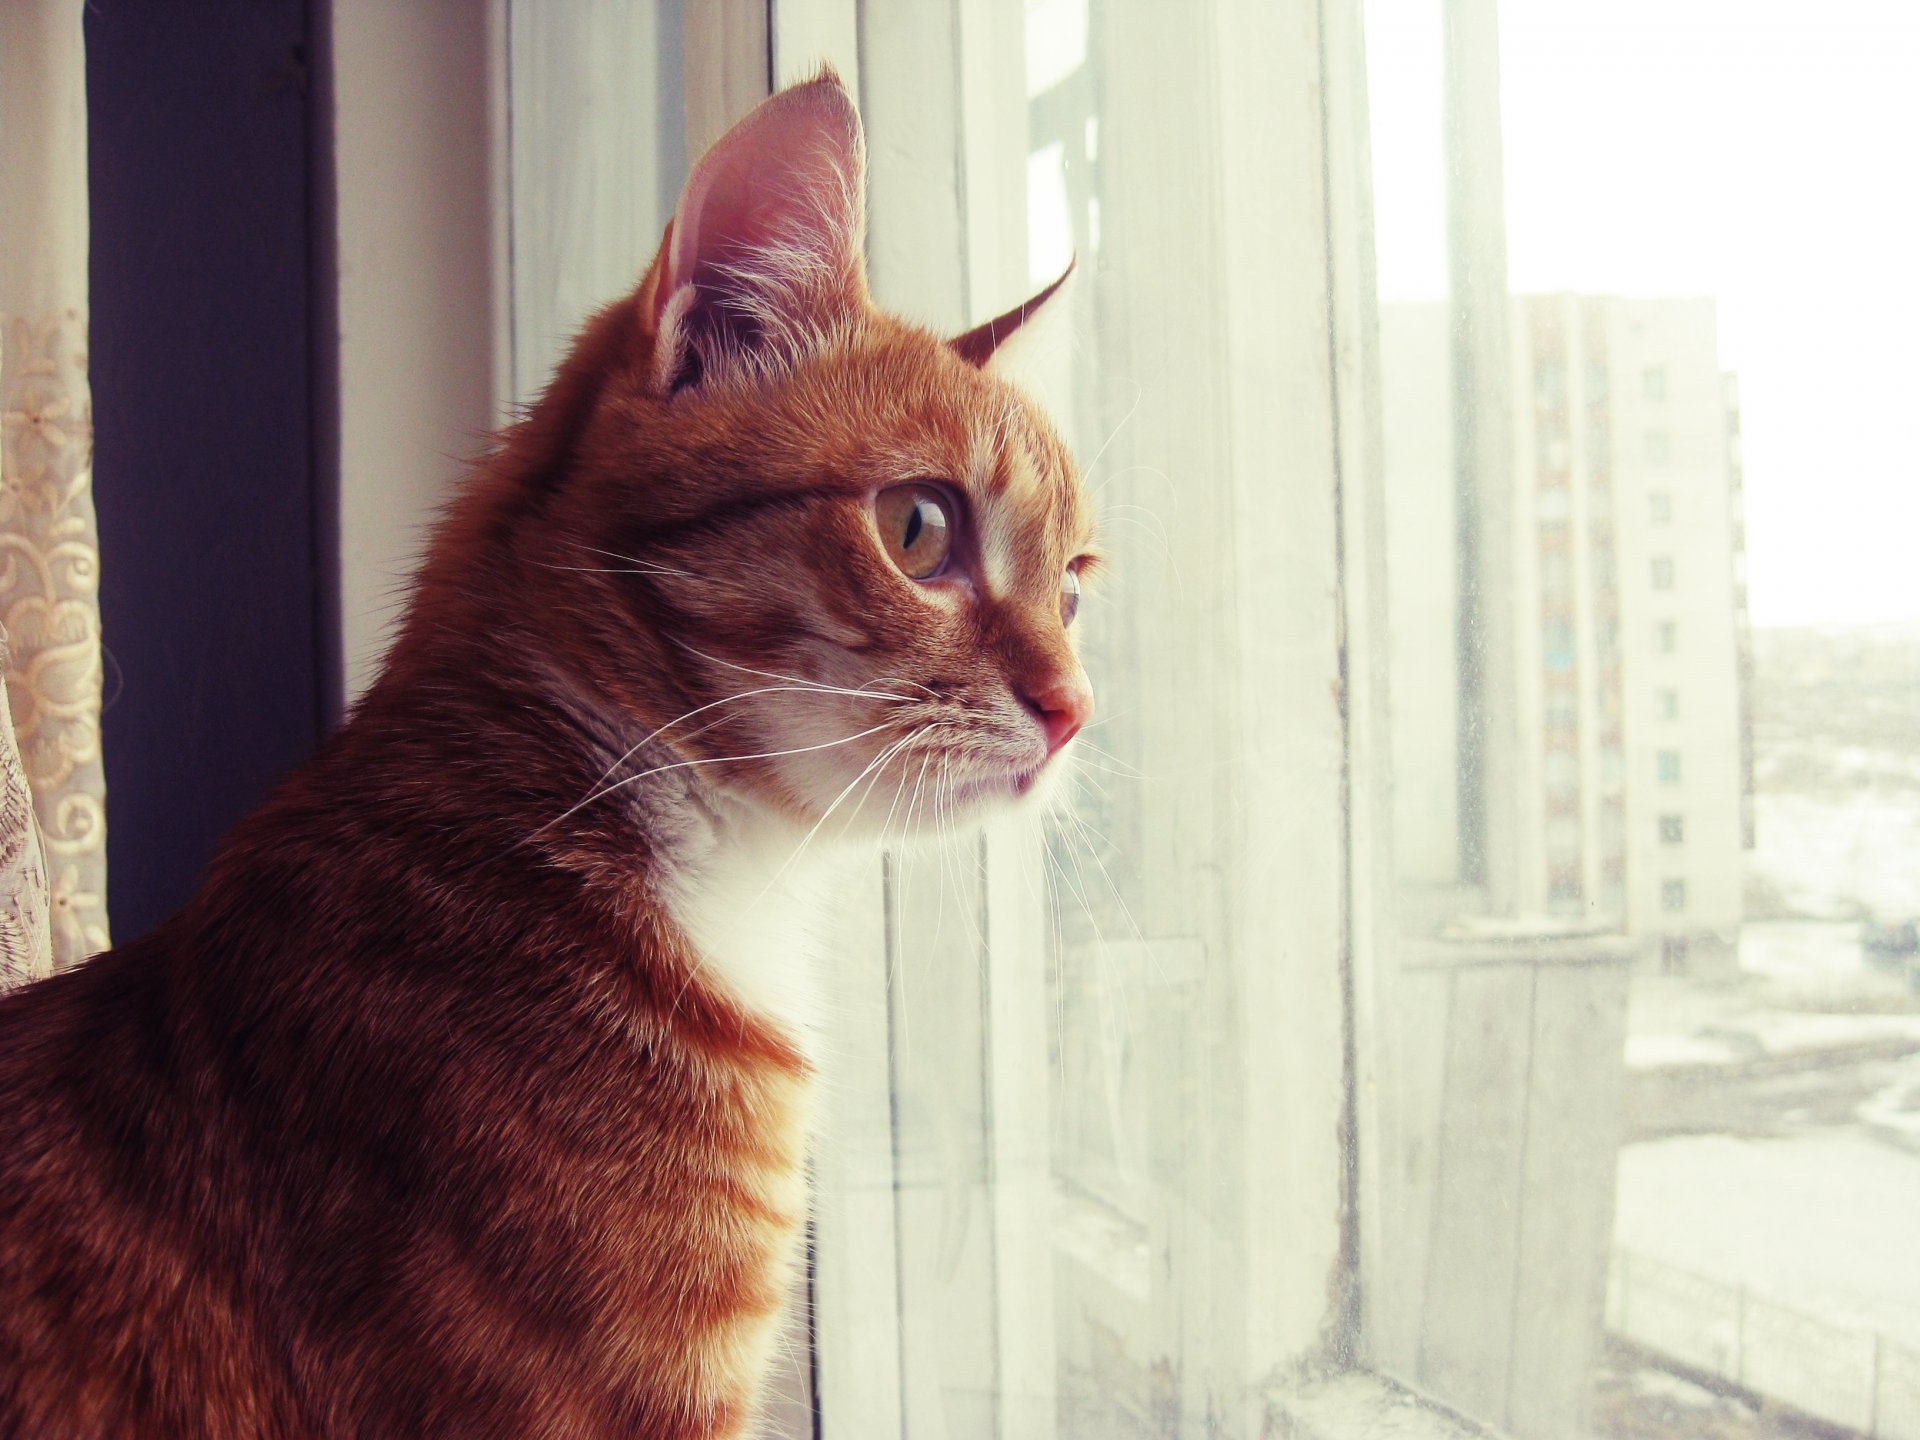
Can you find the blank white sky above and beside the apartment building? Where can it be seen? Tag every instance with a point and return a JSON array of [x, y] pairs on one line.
[[1762, 153]]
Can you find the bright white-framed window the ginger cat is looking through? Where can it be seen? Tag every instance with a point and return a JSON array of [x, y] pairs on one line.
[[1554, 972]]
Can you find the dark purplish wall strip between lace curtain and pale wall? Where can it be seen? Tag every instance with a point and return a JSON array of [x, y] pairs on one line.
[[208, 423]]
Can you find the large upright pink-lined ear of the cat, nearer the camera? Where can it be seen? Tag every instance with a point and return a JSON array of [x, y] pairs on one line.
[[763, 258]]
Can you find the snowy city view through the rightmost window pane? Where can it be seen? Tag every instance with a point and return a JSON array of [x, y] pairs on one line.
[[1658, 711]]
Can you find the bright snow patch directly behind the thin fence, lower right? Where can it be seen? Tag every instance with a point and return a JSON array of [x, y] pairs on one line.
[[1823, 1224]]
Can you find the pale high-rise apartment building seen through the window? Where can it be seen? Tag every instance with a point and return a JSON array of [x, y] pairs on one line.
[[1627, 600]]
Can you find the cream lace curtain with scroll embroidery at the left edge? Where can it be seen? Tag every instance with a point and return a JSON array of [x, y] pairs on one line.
[[53, 819]]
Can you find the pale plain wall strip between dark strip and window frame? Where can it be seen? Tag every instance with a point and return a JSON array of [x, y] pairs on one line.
[[420, 258]]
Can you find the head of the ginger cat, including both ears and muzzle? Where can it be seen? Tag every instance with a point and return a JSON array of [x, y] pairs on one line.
[[832, 554]]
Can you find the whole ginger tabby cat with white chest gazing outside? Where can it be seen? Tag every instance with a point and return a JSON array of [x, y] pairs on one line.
[[471, 1093]]
